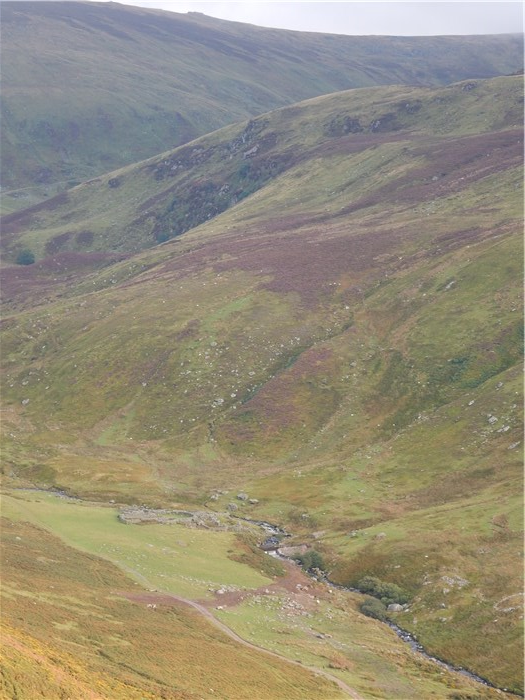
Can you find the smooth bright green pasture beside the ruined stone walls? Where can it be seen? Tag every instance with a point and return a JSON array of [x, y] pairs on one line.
[[171, 558]]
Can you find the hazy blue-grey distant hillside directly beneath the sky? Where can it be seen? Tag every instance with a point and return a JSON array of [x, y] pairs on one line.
[[90, 87]]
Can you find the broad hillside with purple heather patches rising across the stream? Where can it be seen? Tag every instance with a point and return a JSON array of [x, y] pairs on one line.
[[334, 329]]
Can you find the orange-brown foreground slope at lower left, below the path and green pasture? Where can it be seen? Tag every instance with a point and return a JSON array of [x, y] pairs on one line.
[[76, 635]]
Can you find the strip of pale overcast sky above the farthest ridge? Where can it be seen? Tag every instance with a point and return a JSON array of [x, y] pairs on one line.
[[349, 17]]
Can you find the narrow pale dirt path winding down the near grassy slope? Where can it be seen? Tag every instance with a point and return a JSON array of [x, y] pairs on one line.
[[171, 598]]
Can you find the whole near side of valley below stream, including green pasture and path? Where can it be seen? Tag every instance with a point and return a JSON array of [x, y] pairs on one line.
[[290, 615]]
